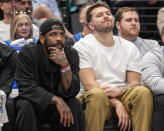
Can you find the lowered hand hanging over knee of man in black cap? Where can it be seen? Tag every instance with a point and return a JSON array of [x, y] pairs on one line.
[[66, 117]]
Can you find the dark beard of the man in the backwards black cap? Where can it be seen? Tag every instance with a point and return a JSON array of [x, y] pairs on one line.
[[52, 45]]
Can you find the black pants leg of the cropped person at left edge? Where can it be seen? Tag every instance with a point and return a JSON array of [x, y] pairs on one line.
[[11, 112]]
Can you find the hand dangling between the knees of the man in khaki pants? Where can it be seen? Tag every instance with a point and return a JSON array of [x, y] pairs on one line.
[[123, 116]]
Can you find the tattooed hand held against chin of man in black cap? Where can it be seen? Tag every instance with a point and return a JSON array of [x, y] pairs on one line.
[[58, 56]]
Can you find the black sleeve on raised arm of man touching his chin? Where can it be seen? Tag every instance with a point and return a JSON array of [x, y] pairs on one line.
[[73, 59]]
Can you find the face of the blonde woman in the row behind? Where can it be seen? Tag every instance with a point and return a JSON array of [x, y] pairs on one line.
[[23, 28]]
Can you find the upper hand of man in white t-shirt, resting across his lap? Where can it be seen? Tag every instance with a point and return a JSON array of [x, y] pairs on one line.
[[111, 91]]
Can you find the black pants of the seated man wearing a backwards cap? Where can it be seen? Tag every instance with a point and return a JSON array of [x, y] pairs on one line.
[[29, 119]]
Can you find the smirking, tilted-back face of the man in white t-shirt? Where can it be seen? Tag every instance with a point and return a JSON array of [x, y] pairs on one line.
[[102, 20]]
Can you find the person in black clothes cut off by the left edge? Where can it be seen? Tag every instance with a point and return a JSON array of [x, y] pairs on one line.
[[8, 60]]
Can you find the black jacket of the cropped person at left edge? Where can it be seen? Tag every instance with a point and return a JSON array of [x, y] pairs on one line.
[[8, 59]]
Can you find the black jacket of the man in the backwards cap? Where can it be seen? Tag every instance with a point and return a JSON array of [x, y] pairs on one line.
[[39, 79]]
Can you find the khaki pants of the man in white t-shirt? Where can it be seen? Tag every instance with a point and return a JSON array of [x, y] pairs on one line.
[[138, 101]]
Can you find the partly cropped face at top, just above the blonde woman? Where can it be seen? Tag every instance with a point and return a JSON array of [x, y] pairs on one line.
[[26, 5]]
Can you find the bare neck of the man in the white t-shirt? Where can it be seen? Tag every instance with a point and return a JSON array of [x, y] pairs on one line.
[[105, 38]]
